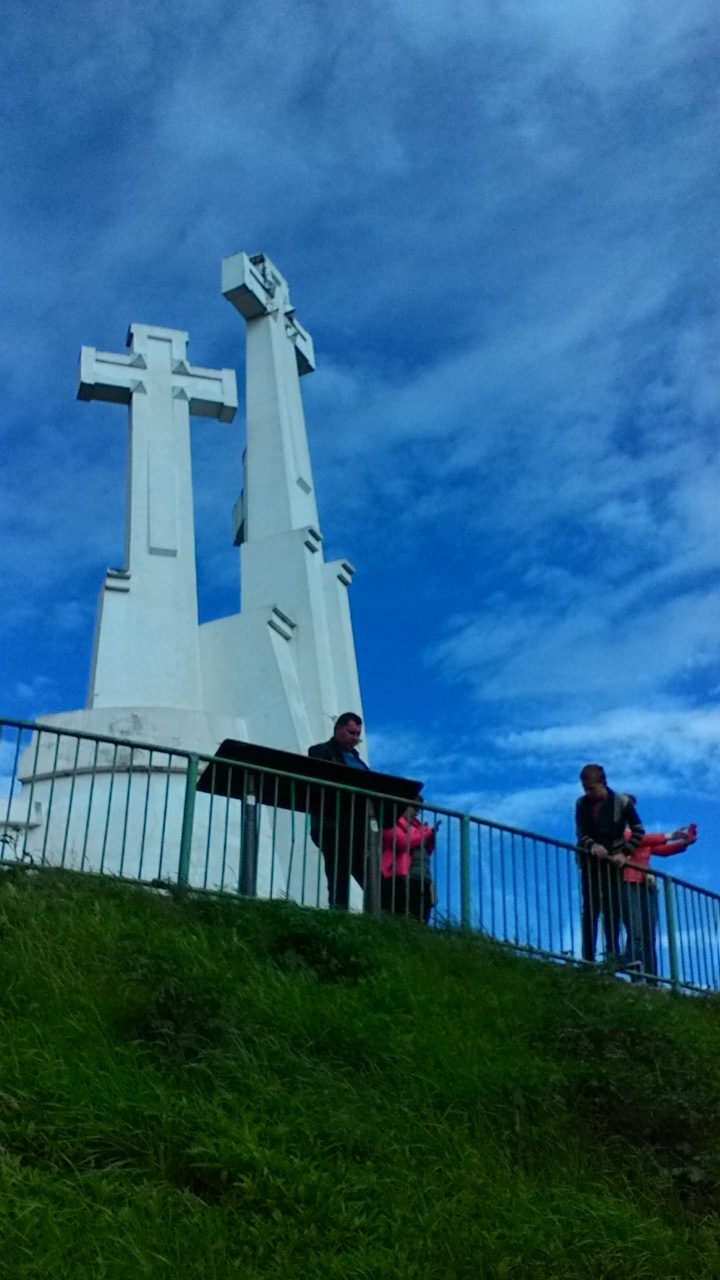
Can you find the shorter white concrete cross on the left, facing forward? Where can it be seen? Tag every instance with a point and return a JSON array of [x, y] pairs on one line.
[[147, 646]]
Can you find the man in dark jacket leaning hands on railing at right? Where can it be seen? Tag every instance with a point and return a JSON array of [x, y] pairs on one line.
[[601, 819]]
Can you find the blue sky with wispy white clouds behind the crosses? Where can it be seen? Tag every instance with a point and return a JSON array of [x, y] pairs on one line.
[[498, 221]]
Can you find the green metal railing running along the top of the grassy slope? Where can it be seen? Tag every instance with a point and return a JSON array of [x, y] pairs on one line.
[[135, 811]]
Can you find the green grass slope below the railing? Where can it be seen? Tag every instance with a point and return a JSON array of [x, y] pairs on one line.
[[199, 1087]]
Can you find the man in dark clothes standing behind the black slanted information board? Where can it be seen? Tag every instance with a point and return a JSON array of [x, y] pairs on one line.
[[338, 825]]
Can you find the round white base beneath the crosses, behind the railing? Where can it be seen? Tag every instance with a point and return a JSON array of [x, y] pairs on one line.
[[117, 807]]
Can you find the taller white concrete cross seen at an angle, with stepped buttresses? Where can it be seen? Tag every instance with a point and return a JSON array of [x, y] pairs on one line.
[[288, 661]]
